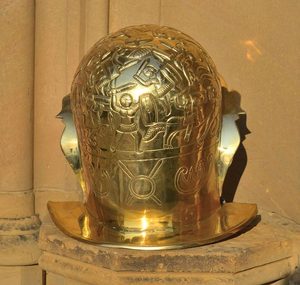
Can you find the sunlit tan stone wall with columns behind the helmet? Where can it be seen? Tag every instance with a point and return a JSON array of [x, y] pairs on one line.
[[254, 43]]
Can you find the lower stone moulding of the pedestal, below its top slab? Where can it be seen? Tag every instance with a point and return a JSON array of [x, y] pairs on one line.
[[94, 275]]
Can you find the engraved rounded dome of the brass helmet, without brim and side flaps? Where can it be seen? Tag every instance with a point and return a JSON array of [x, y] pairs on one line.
[[147, 107]]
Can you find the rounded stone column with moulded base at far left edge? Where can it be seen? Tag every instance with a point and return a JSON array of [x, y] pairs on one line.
[[18, 224]]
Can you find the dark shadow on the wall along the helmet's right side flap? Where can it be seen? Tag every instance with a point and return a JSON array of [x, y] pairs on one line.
[[239, 162]]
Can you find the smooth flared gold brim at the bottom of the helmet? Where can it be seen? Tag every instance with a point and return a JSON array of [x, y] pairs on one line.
[[73, 219]]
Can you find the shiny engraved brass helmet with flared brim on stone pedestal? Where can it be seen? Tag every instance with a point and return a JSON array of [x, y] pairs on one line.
[[150, 154]]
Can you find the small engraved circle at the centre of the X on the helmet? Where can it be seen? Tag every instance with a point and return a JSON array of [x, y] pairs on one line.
[[142, 187]]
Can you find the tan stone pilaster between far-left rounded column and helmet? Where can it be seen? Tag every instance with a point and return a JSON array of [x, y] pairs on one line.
[[65, 29]]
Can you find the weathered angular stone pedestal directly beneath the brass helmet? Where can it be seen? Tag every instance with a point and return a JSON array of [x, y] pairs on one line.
[[266, 253]]
